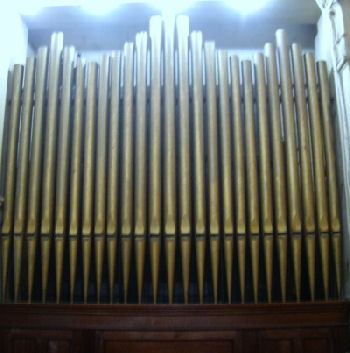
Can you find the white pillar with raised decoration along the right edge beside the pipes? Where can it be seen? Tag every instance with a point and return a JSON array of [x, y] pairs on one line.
[[332, 44]]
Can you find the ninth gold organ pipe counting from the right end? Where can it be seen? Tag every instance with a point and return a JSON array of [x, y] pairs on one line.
[[226, 167]]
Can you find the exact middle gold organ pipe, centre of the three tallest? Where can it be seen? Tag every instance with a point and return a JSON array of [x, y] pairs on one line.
[[169, 191]]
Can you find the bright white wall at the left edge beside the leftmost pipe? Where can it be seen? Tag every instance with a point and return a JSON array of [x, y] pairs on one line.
[[14, 42]]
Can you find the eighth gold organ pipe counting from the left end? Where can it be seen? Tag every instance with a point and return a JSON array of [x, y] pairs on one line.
[[101, 173]]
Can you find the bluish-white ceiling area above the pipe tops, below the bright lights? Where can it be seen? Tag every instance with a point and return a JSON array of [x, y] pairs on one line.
[[217, 21]]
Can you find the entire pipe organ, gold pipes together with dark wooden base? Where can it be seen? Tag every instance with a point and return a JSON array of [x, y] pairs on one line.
[[171, 198]]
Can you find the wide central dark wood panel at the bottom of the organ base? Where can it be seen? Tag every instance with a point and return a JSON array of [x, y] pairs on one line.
[[169, 347]]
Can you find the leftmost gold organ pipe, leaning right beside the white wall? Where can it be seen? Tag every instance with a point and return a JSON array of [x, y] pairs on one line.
[[9, 191]]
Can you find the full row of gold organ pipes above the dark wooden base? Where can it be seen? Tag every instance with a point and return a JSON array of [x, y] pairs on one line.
[[166, 146]]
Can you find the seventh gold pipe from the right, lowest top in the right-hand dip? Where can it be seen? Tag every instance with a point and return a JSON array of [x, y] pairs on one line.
[[252, 175]]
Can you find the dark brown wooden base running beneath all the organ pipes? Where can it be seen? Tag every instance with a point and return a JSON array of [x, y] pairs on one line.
[[249, 328]]
